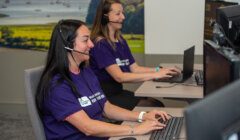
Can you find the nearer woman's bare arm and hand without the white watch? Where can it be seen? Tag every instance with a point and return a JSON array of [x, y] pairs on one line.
[[91, 127]]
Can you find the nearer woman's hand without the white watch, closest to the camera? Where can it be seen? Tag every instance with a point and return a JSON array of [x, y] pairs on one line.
[[147, 126]]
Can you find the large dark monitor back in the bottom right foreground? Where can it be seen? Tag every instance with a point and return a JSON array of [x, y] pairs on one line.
[[210, 117]]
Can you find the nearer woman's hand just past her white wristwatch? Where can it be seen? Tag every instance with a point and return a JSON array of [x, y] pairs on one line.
[[154, 115]]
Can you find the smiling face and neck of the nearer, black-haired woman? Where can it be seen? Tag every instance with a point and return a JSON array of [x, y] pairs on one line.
[[83, 44]]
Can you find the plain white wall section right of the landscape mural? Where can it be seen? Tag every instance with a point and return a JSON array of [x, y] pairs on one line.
[[173, 25]]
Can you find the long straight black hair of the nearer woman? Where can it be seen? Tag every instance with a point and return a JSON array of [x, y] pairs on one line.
[[63, 35]]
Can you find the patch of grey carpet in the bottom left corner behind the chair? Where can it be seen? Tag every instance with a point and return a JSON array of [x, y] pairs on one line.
[[15, 127]]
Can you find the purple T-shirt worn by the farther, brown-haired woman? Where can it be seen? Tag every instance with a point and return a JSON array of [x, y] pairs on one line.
[[103, 55]]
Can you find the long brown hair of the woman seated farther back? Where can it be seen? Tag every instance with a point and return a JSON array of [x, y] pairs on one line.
[[100, 28]]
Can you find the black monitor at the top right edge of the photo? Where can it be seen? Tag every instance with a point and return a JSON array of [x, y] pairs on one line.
[[229, 19]]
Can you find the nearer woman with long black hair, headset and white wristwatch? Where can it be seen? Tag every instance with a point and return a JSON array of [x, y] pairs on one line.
[[69, 97]]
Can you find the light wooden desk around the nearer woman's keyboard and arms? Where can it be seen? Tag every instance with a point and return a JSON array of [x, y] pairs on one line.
[[178, 112]]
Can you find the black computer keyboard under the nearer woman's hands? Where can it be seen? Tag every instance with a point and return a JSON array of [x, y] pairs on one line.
[[170, 132]]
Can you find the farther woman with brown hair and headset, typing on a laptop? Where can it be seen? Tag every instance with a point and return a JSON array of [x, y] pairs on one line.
[[112, 61]]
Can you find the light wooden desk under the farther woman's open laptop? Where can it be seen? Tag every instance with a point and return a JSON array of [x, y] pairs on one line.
[[148, 88]]
